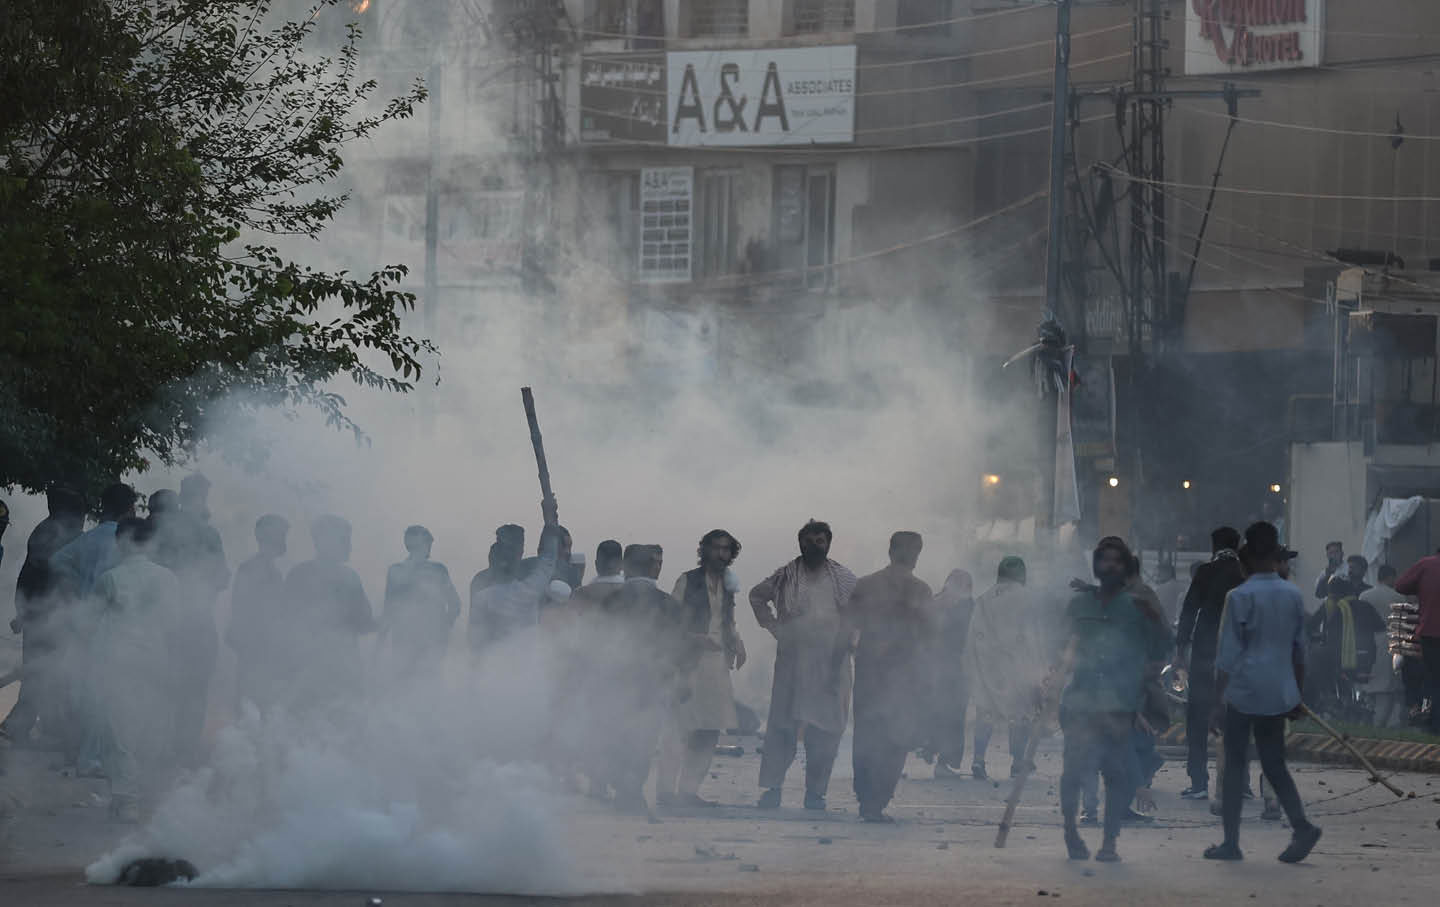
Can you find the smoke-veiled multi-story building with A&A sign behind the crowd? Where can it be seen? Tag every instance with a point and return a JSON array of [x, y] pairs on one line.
[[739, 181]]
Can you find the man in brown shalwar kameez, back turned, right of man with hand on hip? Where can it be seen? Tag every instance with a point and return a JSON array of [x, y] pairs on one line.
[[891, 613]]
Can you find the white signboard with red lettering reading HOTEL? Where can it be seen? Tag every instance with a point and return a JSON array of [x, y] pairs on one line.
[[1254, 35]]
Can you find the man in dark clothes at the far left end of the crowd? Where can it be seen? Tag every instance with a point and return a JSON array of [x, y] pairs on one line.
[[35, 604]]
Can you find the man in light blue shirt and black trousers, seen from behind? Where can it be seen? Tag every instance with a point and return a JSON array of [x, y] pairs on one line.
[[1259, 672]]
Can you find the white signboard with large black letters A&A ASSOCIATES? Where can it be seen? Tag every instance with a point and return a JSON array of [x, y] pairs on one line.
[[777, 97]]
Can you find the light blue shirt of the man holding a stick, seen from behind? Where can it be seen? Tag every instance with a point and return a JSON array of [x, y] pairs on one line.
[[1262, 637]]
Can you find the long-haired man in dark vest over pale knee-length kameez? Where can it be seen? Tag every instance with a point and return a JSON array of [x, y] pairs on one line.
[[708, 595]]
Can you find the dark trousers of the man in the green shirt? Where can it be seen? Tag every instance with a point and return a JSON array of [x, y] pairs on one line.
[[1098, 741]]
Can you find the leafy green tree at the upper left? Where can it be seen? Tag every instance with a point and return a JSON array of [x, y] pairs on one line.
[[153, 153]]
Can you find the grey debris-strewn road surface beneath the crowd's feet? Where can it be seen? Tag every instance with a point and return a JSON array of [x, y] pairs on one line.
[[1376, 849]]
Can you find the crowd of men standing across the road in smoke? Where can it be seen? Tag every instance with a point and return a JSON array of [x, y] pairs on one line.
[[122, 646]]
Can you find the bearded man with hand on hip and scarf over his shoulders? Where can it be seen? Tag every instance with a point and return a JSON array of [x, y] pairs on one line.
[[803, 605]]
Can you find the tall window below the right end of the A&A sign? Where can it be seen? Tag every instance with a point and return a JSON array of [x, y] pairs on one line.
[[806, 222]]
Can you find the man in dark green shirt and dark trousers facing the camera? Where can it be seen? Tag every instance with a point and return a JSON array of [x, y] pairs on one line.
[[1115, 644]]
